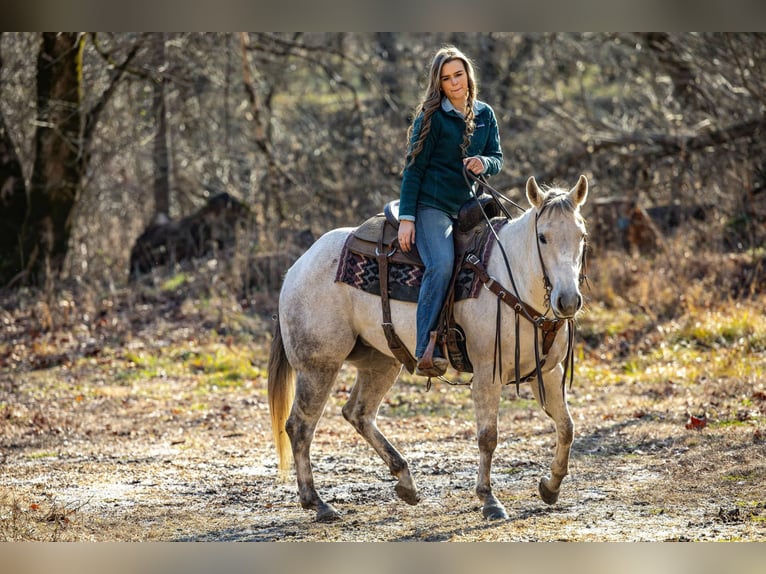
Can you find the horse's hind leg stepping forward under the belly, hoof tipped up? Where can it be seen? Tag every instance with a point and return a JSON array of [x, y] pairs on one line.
[[376, 374]]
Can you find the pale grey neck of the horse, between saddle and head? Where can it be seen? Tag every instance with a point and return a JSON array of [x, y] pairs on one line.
[[520, 245]]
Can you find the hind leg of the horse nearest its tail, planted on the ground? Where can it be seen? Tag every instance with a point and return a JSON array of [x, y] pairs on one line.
[[312, 391]]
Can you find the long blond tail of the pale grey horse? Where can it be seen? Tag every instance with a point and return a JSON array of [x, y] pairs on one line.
[[281, 393]]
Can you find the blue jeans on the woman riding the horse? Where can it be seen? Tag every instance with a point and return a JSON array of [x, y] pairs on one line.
[[433, 237]]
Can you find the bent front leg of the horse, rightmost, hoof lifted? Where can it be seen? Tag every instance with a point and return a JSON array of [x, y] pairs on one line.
[[556, 408]]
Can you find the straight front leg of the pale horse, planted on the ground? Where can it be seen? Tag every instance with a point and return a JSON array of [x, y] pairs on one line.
[[486, 399]]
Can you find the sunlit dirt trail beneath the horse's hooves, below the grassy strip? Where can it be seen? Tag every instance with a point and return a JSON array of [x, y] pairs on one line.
[[86, 457]]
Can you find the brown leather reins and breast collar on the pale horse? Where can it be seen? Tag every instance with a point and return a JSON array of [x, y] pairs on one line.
[[548, 327]]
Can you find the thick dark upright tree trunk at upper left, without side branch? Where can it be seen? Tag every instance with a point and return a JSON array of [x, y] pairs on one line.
[[56, 173]]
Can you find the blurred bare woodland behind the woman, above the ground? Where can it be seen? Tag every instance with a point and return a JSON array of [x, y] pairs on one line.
[[102, 134]]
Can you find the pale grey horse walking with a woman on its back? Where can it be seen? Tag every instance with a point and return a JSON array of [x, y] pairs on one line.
[[321, 323]]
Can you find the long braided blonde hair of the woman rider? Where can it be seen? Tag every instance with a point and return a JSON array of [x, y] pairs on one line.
[[433, 97]]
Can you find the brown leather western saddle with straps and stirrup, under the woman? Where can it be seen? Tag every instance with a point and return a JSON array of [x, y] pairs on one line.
[[377, 238]]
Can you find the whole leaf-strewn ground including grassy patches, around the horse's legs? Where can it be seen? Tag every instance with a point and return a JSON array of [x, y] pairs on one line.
[[151, 423]]
